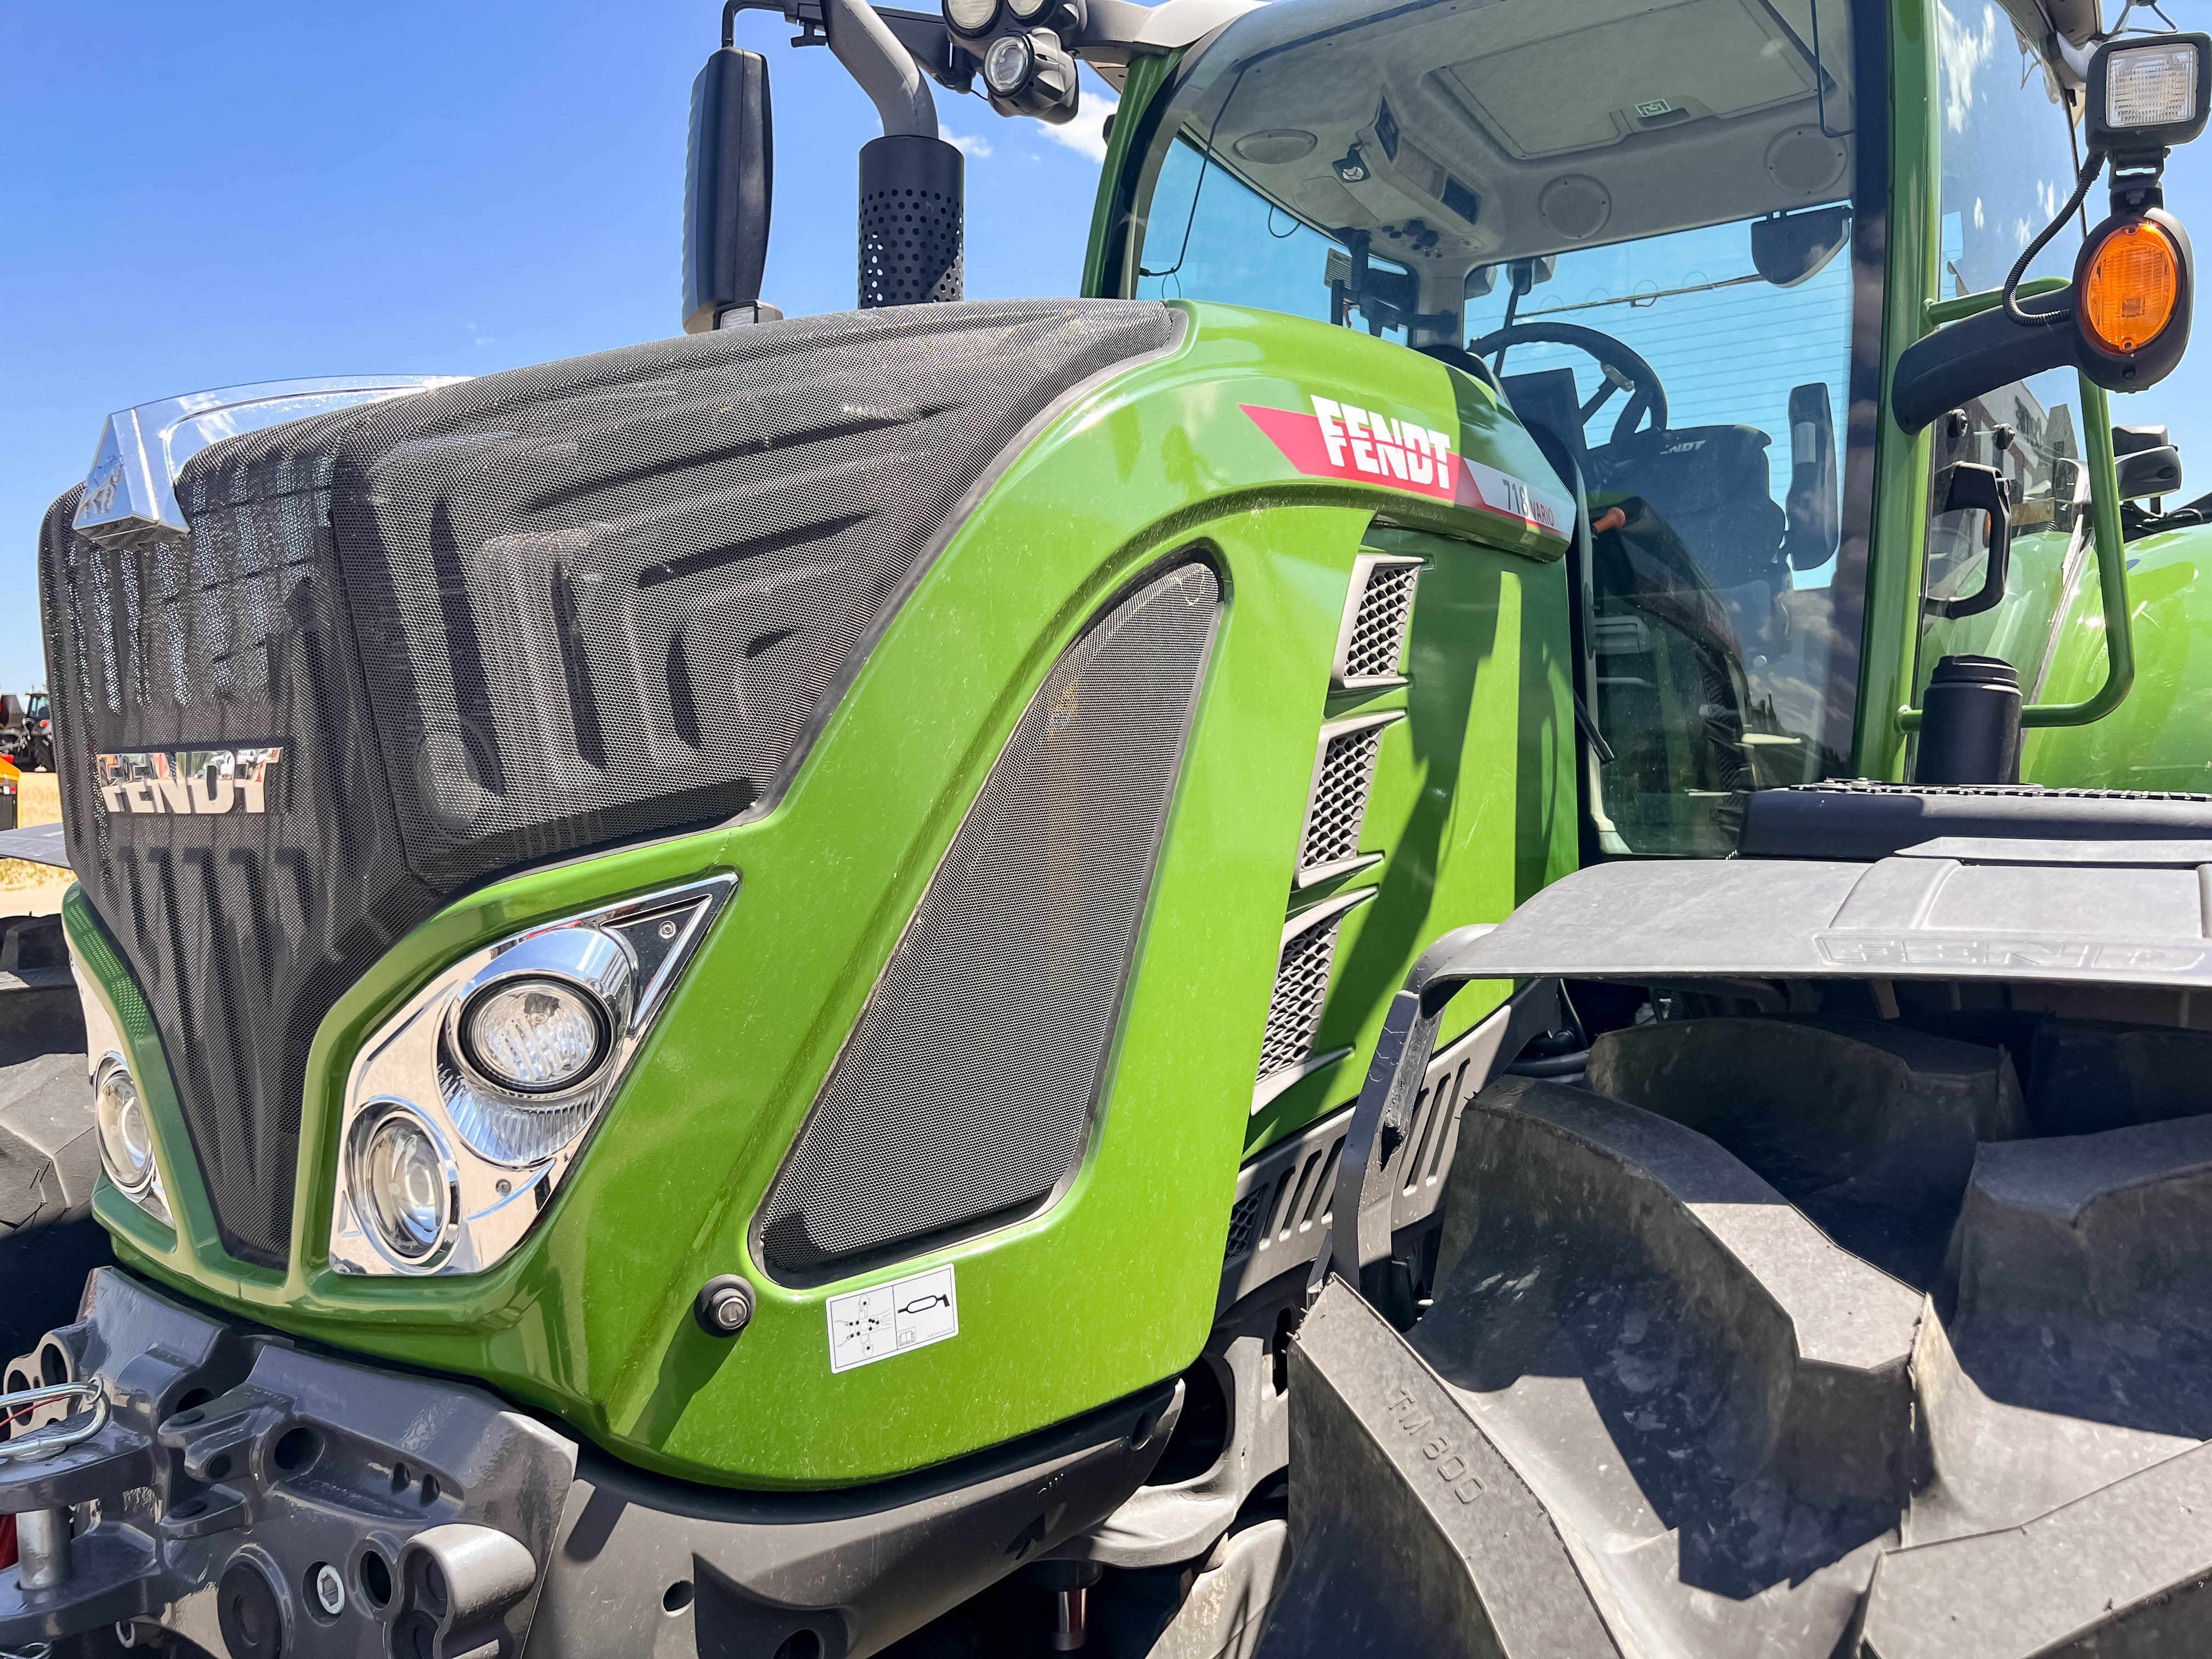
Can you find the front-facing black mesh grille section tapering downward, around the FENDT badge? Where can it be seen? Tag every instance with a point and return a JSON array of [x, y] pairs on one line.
[[244, 928]]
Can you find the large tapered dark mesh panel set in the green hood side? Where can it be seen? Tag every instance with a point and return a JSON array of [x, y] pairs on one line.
[[968, 1085]]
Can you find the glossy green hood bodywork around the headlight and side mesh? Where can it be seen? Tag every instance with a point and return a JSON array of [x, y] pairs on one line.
[[1112, 1286]]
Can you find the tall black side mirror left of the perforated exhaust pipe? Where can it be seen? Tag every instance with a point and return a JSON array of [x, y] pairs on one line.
[[729, 185]]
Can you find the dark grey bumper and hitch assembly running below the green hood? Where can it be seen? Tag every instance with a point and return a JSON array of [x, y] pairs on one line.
[[236, 1468]]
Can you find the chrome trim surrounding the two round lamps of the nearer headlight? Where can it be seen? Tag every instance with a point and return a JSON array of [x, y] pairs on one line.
[[512, 1151]]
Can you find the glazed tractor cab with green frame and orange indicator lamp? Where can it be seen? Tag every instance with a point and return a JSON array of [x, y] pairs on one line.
[[1691, 244]]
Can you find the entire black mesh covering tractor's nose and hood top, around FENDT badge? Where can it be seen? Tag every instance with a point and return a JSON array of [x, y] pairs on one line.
[[494, 625]]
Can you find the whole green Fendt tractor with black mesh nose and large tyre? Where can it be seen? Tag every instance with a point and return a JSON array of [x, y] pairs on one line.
[[1465, 921]]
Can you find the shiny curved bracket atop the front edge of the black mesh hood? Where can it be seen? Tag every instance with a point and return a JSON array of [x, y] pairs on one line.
[[132, 490]]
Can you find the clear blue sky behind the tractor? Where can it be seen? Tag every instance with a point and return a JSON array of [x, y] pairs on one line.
[[247, 191]]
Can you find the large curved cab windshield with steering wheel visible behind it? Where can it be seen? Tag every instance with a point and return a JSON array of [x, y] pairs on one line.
[[1640, 218]]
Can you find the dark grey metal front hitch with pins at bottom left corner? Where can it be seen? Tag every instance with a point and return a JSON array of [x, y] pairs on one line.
[[185, 1474]]
